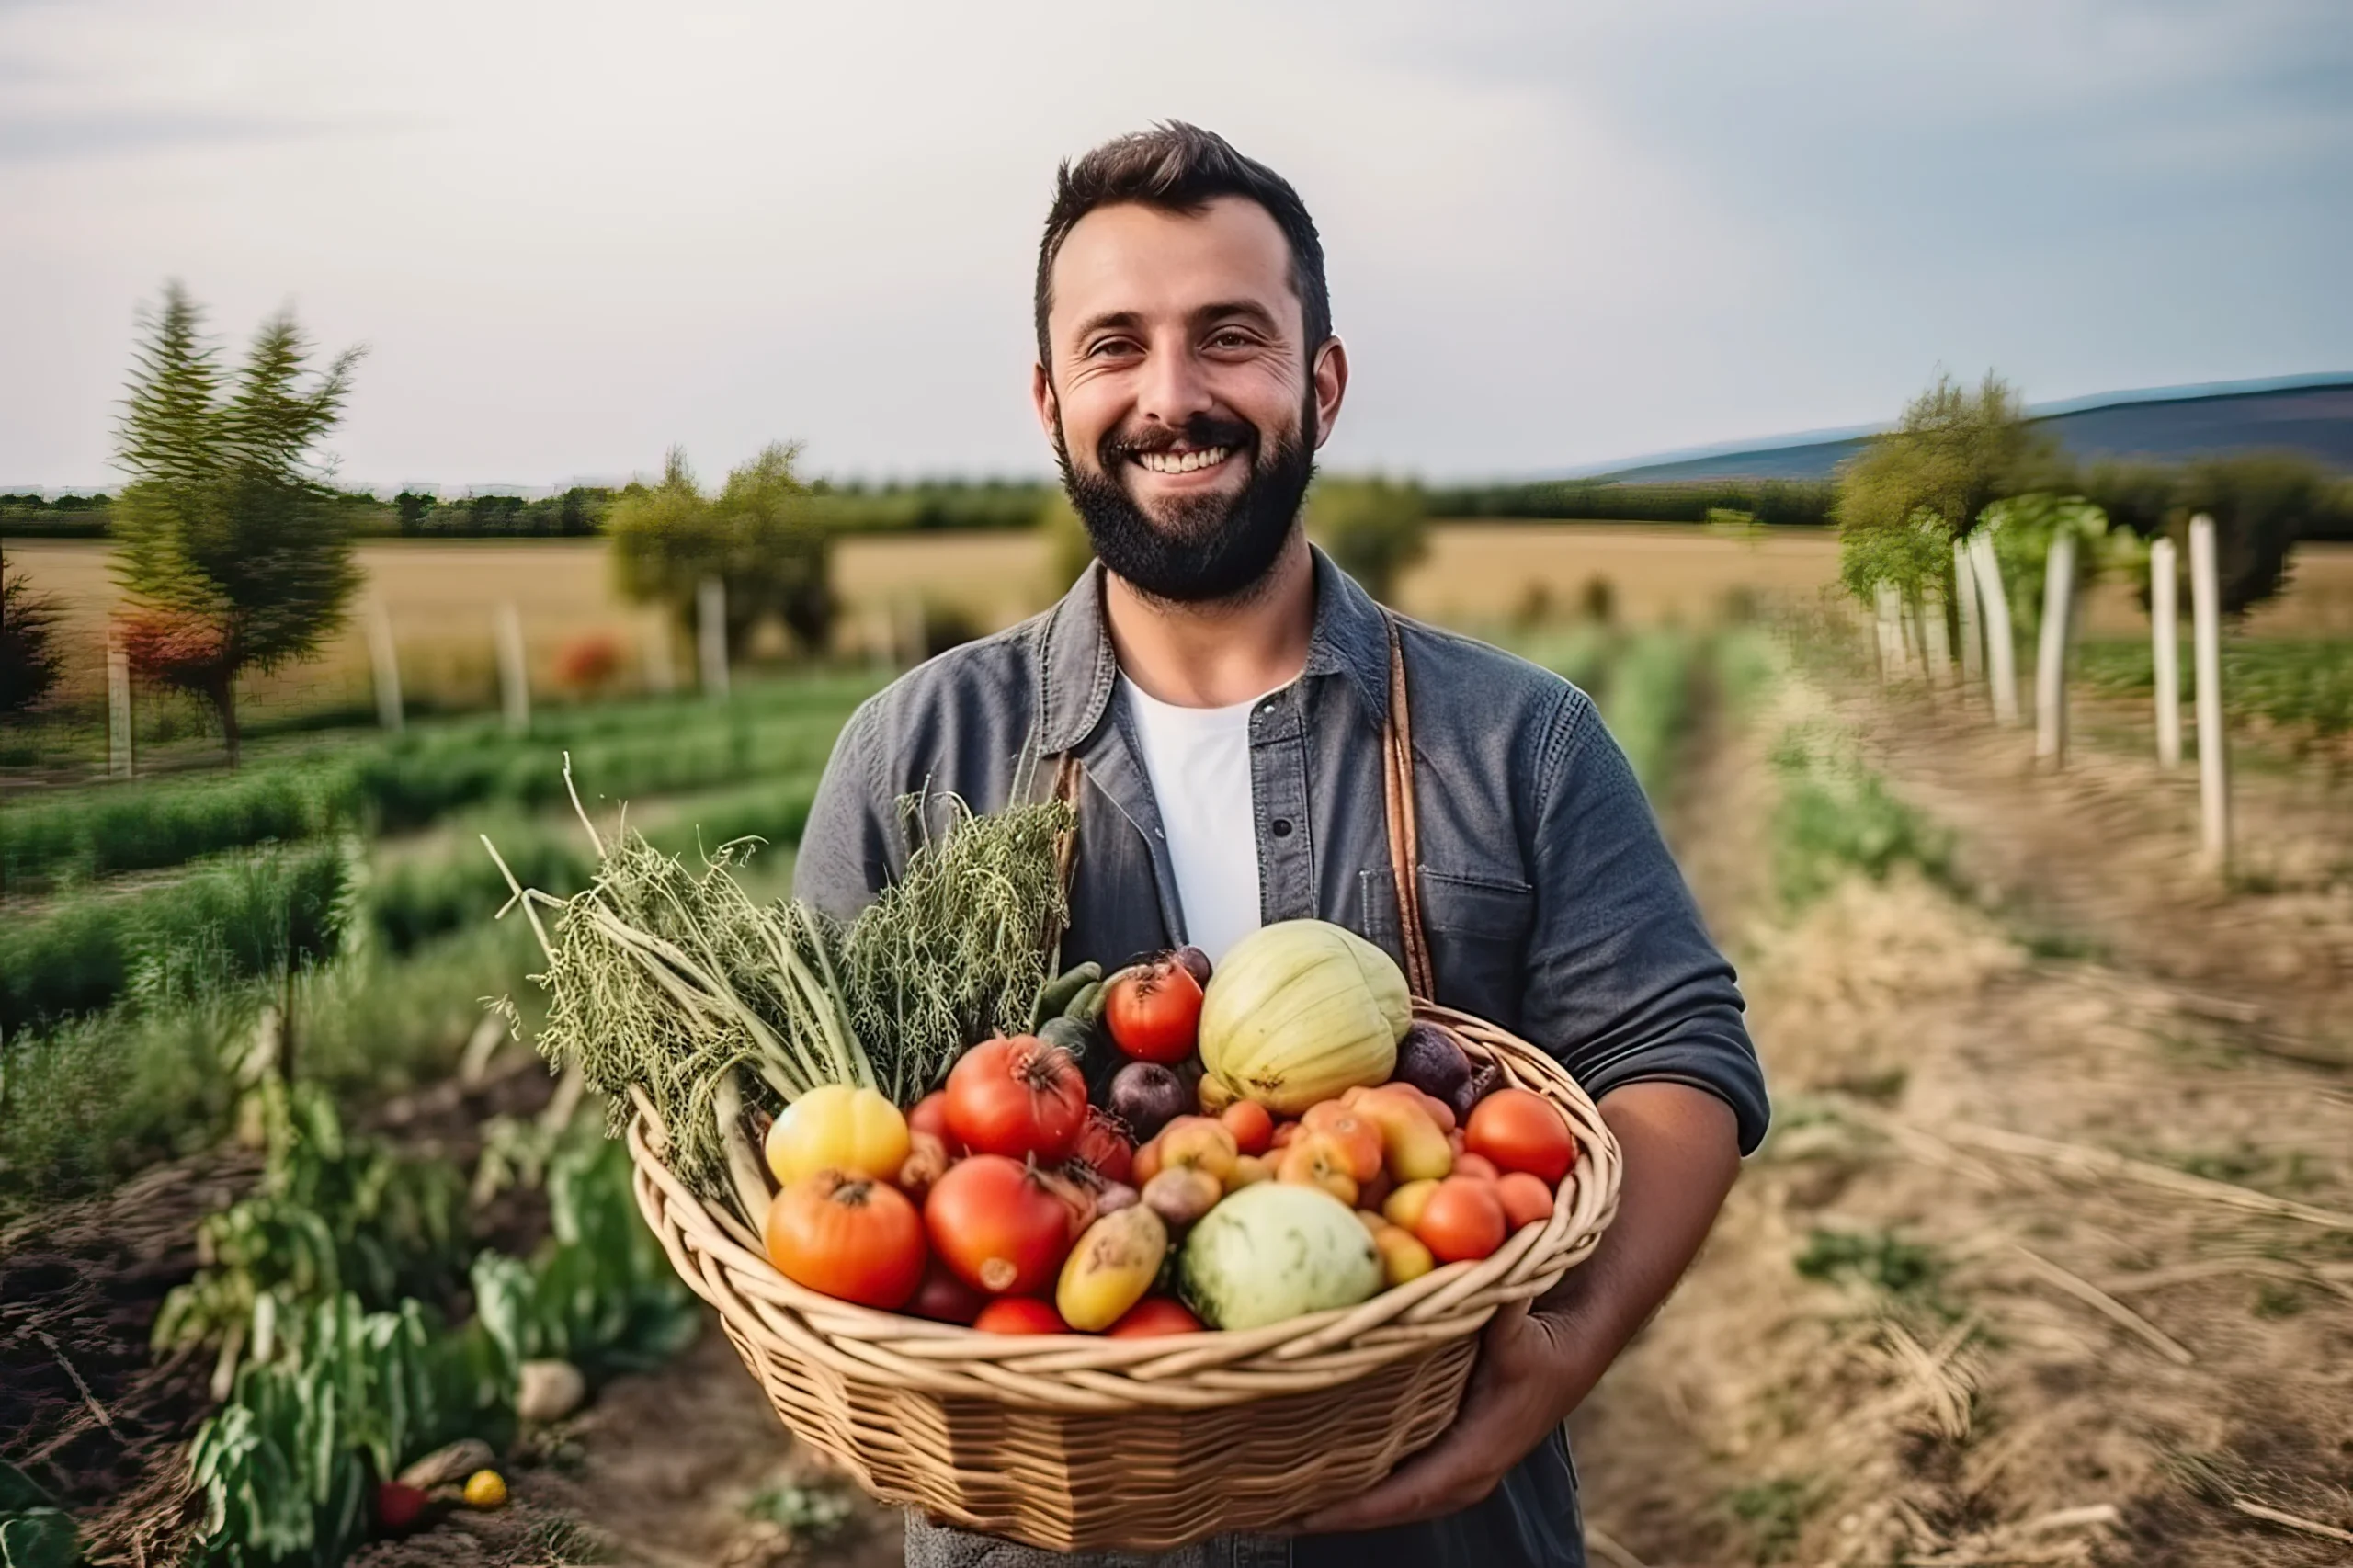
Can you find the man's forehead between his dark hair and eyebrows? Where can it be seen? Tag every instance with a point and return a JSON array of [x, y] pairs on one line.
[[1168, 265]]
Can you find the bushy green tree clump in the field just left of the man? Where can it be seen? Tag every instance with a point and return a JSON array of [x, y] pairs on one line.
[[764, 536]]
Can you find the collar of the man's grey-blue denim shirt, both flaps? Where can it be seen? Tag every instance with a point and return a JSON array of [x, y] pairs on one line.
[[1079, 670]]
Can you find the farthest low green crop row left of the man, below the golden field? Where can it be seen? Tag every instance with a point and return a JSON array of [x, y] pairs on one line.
[[413, 780]]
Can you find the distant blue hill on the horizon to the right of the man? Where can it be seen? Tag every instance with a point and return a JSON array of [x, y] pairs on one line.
[[2309, 416]]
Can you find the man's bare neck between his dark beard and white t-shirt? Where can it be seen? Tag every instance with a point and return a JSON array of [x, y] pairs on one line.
[[1222, 653]]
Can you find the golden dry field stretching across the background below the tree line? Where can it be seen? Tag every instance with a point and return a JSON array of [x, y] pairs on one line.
[[444, 594]]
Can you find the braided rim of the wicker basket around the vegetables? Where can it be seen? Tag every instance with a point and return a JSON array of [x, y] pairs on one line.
[[733, 1273]]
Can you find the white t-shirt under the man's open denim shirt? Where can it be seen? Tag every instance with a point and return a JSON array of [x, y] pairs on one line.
[[1199, 766]]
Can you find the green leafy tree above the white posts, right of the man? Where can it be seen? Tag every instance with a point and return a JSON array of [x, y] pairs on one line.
[[1949, 458]]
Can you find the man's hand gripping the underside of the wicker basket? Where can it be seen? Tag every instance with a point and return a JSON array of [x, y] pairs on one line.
[[1531, 1374]]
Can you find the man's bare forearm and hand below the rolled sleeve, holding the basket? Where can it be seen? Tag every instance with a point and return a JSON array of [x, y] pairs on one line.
[[1538, 1364]]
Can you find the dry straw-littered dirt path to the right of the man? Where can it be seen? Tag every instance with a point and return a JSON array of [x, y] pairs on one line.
[[2051, 1256]]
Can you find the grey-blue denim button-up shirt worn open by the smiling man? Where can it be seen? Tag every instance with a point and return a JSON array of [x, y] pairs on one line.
[[1547, 893]]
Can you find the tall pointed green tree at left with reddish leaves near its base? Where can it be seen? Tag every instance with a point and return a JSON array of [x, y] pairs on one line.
[[227, 538]]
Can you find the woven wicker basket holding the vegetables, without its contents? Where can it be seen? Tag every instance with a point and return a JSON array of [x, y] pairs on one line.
[[1135, 1444]]
